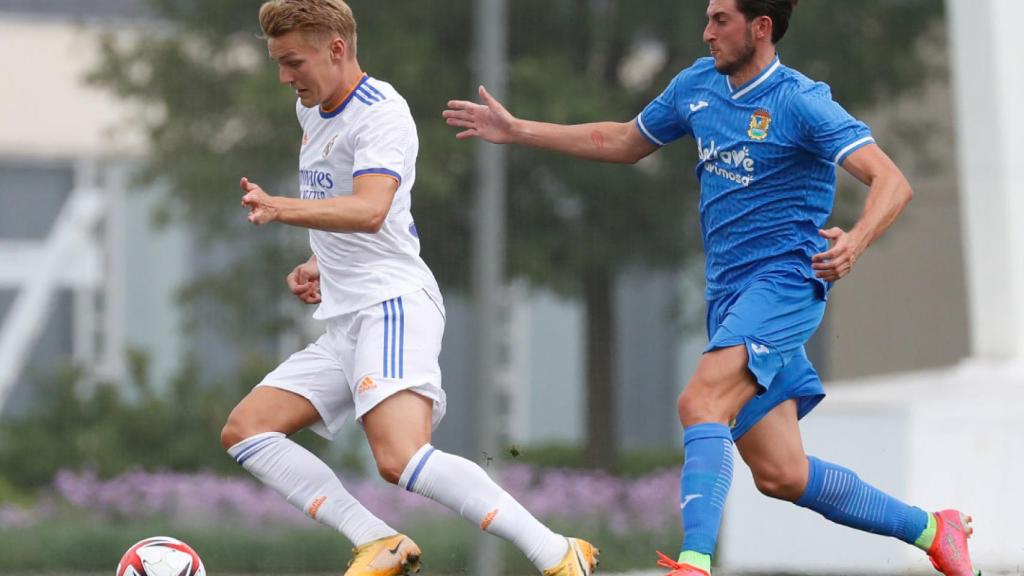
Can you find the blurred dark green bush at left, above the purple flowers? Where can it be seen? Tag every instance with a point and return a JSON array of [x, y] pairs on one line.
[[113, 429]]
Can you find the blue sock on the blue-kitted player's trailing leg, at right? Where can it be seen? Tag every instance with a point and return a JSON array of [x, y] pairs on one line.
[[840, 496]]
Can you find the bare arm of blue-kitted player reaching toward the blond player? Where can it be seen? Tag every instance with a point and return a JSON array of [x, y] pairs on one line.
[[606, 142]]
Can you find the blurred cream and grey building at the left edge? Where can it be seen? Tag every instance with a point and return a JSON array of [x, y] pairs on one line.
[[83, 275]]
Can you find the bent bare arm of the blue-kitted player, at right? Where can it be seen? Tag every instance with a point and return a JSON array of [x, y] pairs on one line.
[[889, 193]]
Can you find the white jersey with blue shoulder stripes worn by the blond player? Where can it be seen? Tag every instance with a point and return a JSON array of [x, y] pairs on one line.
[[371, 133]]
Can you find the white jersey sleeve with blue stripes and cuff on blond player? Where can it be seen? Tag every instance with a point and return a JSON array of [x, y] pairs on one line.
[[382, 142]]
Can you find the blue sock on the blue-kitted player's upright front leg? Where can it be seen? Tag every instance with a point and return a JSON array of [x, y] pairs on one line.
[[705, 484]]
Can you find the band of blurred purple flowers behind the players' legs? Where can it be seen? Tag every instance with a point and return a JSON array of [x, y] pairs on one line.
[[648, 504]]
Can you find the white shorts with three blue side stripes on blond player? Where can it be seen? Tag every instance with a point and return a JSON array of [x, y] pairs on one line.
[[366, 357]]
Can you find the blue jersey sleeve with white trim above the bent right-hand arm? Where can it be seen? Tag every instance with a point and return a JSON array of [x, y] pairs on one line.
[[827, 130]]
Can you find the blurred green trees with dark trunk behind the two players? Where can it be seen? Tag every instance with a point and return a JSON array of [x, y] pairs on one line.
[[214, 112]]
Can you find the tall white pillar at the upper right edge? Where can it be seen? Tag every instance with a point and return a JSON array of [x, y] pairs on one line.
[[990, 91]]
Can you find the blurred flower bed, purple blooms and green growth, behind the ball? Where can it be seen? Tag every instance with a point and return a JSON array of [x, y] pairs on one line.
[[237, 525]]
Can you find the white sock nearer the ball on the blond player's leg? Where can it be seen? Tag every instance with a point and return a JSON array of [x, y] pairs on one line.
[[310, 485]]
